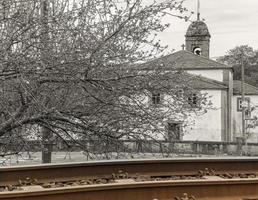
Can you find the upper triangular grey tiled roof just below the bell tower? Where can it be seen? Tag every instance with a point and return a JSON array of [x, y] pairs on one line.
[[183, 60]]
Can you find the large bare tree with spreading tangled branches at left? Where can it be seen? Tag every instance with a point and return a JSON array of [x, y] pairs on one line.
[[75, 68]]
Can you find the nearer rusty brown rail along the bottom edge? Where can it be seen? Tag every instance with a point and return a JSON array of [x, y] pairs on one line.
[[209, 188]]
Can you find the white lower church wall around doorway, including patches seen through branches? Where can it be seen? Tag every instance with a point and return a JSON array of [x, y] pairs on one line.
[[201, 127]]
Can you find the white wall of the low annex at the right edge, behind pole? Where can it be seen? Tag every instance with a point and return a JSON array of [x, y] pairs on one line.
[[237, 119]]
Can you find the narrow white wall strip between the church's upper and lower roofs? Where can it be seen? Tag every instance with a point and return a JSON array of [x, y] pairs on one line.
[[216, 74]]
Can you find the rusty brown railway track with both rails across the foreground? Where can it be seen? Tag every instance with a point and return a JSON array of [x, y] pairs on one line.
[[166, 179]]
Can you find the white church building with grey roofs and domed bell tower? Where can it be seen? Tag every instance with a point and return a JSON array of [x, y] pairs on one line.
[[224, 122]]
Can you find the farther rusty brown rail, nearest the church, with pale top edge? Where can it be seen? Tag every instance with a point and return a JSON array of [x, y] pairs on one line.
[[142, 166]]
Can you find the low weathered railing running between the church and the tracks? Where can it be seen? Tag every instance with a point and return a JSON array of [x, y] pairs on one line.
[[141, 146]]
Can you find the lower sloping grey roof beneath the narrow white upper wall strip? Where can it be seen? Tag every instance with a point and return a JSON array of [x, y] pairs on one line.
[[200, 82]]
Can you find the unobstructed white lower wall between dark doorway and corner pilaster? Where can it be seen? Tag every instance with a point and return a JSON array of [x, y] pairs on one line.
[[207, 127]]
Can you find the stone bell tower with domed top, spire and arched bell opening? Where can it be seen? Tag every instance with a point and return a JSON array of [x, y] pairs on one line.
[[197, 38]]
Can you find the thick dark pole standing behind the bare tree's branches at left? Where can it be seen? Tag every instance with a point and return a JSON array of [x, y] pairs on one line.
[[46, 133]]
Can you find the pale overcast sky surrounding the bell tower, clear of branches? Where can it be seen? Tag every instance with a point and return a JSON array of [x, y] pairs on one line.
[[230, 22]]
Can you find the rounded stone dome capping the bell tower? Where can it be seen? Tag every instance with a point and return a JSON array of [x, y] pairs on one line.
[[197, 28]]
